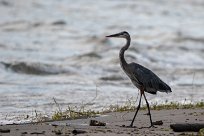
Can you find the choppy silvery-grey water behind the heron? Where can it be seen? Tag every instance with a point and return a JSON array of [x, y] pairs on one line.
[[58, 49]]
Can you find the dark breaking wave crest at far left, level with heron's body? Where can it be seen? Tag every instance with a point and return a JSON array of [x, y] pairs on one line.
[[34, 68]]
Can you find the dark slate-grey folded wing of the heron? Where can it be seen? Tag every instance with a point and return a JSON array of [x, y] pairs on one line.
[[148, 79]]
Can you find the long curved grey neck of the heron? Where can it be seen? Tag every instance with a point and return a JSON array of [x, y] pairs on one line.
[[122, 51]]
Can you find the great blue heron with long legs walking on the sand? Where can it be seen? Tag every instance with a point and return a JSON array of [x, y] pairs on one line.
[[144, 79]]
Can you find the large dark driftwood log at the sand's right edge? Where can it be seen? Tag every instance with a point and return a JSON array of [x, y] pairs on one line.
[[195, 127]]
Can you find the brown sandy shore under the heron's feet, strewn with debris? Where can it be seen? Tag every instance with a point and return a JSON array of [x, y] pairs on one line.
[[114, 122]]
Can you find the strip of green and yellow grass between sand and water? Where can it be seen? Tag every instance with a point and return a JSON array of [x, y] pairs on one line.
[[77, 113]]
